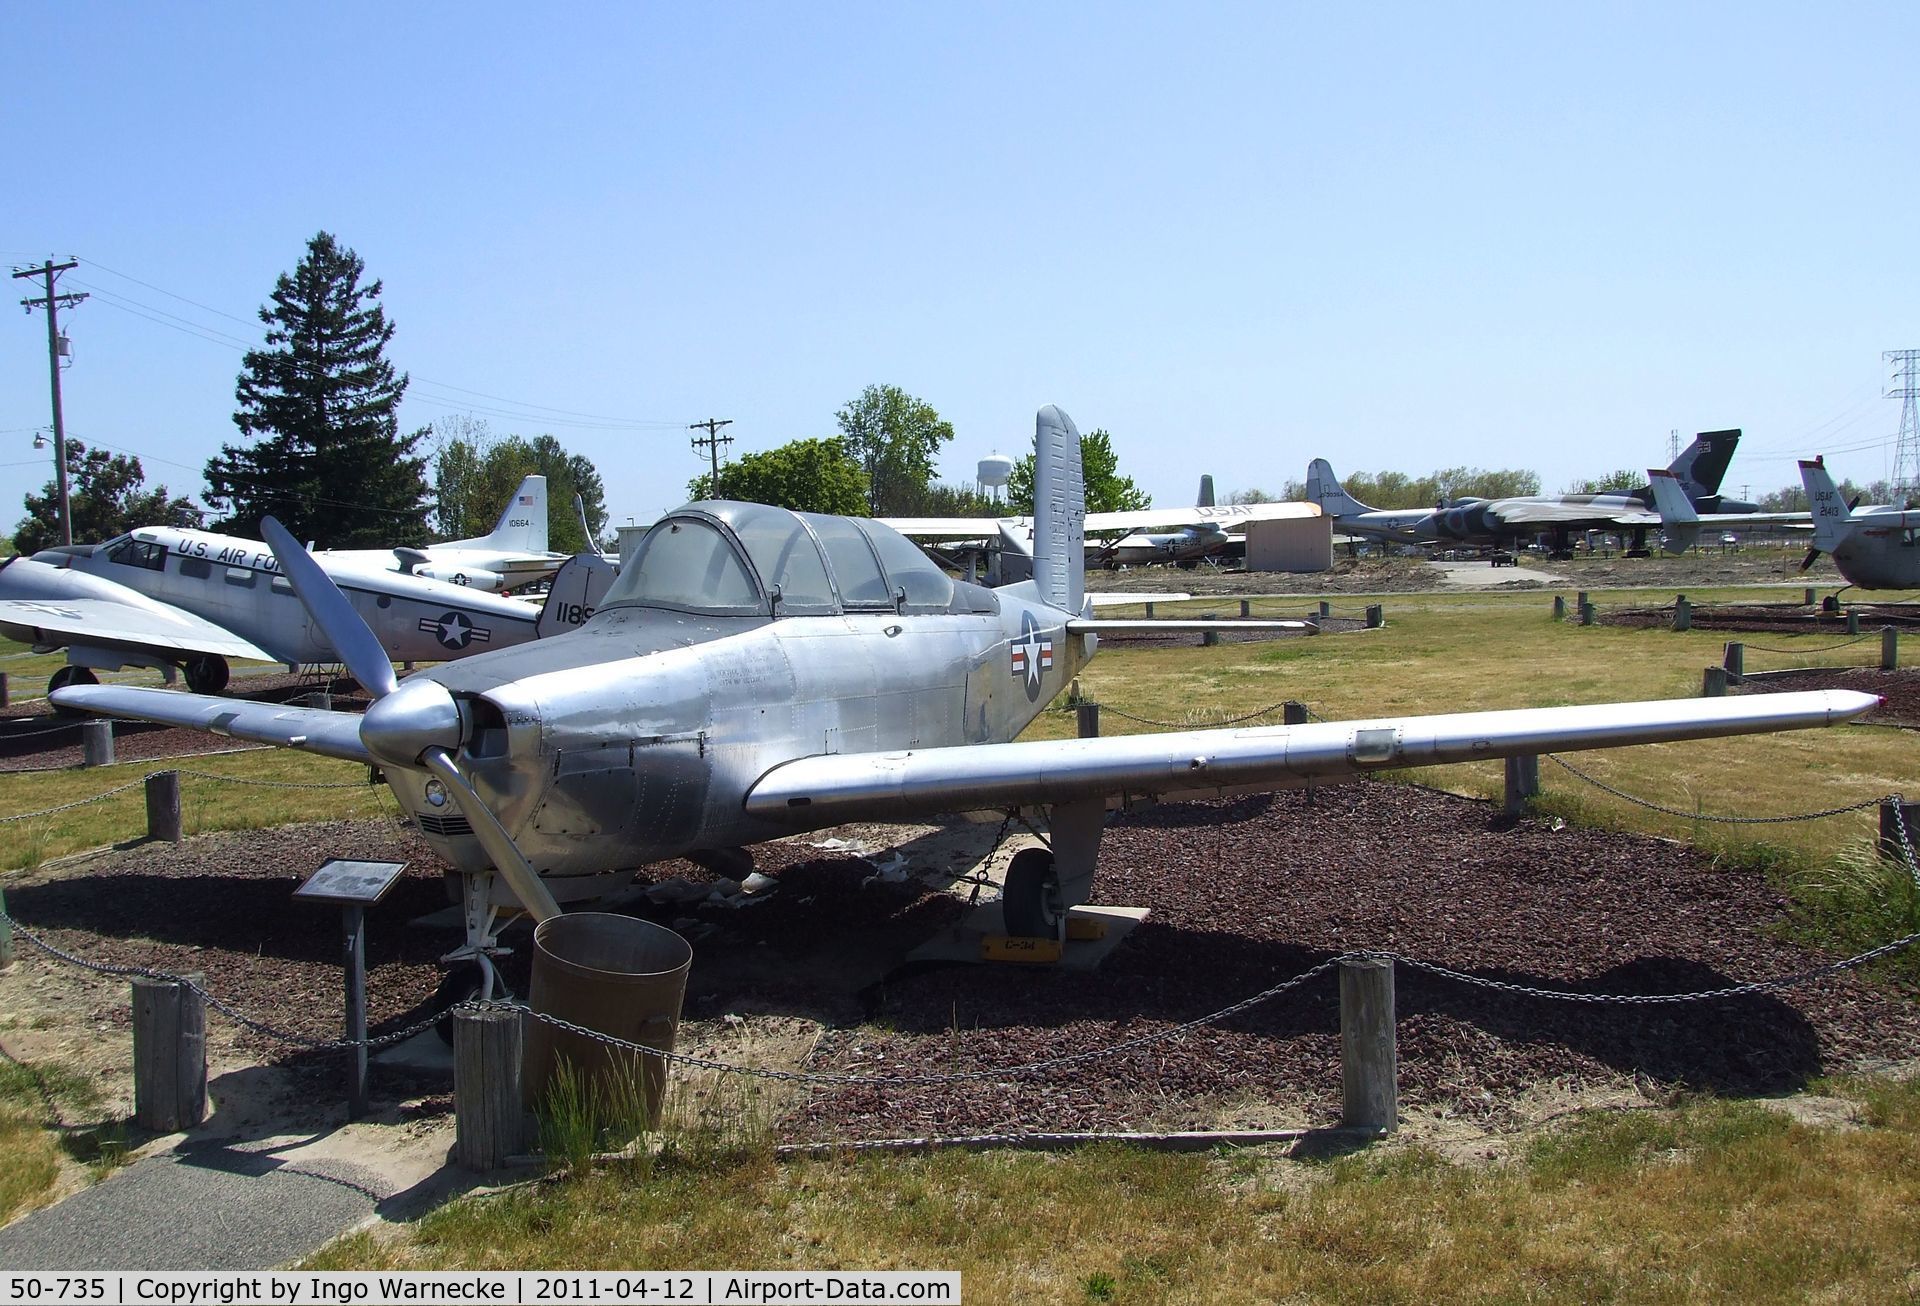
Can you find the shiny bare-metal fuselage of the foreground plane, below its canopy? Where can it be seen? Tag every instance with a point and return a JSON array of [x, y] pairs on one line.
[[636, 738]]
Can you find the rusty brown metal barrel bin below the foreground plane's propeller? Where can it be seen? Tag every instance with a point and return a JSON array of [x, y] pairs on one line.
[[613, 975]]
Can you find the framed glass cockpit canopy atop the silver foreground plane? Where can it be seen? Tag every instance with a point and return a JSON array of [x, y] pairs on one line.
[[750, 560]]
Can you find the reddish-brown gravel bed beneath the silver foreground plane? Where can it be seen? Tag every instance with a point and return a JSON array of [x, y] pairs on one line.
[[1243, 896]]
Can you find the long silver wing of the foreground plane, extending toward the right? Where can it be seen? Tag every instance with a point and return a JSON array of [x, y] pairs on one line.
[[884, 786]]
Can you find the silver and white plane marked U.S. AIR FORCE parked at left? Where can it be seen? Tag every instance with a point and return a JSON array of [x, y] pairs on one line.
[[189, 600]]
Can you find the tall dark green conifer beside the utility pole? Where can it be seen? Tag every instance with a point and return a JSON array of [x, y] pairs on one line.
[[318, 410]]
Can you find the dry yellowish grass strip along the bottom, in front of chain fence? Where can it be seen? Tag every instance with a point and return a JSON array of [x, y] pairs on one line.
[[1716, 1199]]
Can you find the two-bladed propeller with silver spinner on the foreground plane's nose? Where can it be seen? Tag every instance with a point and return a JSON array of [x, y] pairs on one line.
[[414, 725]]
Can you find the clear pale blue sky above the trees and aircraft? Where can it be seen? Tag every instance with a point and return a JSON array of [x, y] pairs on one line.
[[1236, 237]]
